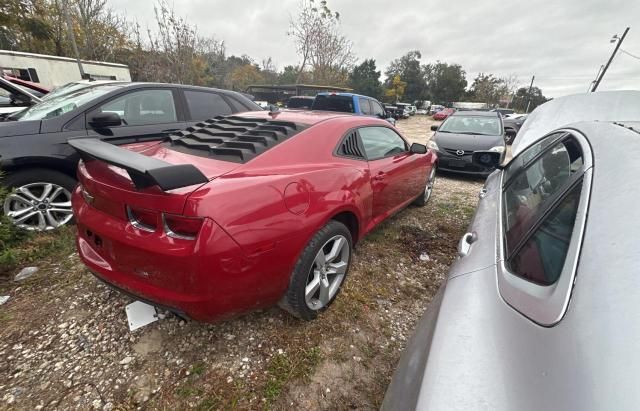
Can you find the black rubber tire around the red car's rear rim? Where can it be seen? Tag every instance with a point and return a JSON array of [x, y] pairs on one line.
[[293, 300]]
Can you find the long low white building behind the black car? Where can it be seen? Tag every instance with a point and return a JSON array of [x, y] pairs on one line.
[[54, 71]]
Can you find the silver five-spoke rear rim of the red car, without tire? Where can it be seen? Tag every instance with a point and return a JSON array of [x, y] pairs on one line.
[[327, 272]]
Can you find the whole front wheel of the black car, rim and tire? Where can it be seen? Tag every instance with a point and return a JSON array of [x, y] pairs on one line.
[[40, 199]]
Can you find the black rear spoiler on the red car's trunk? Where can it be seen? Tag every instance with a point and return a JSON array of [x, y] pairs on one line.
[[144, 171]]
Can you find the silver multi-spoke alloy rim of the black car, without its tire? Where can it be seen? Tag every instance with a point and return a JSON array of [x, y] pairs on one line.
[[39, 206]]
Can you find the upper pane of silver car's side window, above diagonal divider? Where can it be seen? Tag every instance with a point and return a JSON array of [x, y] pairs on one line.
[[533, 190]]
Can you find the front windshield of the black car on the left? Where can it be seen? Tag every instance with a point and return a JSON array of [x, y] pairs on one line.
[[63, 103]]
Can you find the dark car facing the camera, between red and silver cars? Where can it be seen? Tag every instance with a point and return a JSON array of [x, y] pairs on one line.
[[464, 133]]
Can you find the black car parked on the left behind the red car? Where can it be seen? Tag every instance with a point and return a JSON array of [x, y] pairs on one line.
[[41, 167]]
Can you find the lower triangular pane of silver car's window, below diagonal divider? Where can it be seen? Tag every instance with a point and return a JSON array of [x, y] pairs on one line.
[[542, 257]]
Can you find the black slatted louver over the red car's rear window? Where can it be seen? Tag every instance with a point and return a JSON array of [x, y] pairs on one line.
[[233, 138]]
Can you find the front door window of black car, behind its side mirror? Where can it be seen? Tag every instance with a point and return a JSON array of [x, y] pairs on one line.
[[143, 107]]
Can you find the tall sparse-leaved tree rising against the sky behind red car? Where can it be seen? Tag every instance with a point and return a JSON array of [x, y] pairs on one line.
[[319, 43]]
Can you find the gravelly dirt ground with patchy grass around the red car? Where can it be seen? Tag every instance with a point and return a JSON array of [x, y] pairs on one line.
[[64, 341]]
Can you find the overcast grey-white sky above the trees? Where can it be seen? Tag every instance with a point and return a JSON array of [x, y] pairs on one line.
[[562, 42]]
